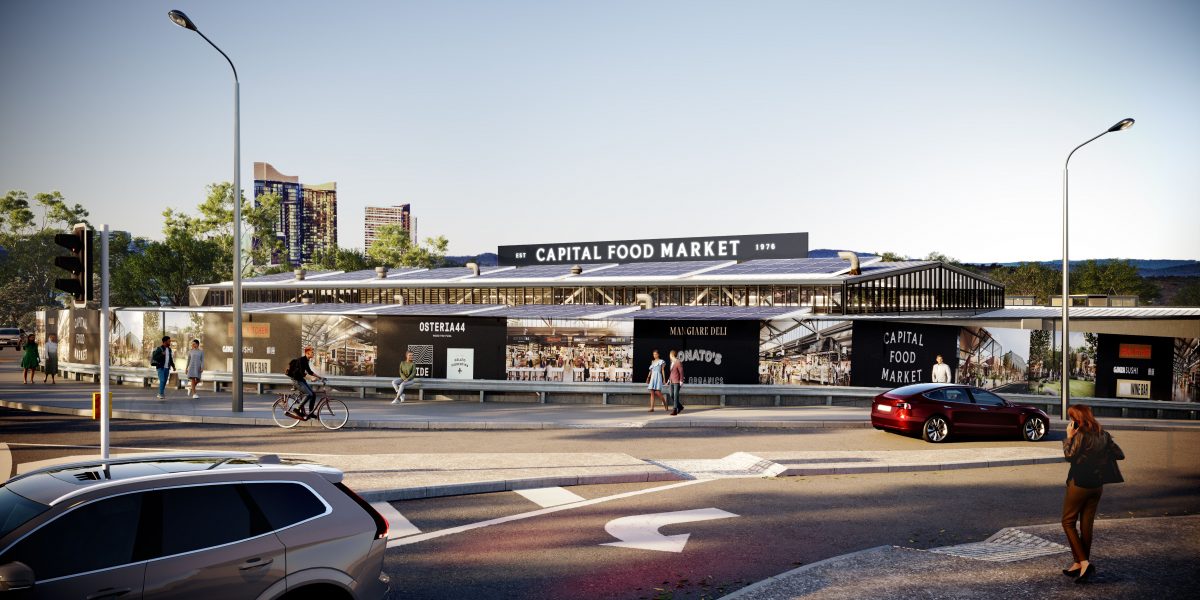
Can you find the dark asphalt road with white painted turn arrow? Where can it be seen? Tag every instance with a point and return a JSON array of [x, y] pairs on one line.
[[781, 524]]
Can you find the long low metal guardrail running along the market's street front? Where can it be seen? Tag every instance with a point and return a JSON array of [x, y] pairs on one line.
[[609, 393]]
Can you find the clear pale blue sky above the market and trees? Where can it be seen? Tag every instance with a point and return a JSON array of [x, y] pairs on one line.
[[910, 127]]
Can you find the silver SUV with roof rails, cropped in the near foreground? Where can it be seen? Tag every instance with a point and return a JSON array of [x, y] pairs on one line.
[[189, 526]]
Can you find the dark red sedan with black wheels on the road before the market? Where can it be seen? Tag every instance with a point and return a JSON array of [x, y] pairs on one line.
[[939, 411]]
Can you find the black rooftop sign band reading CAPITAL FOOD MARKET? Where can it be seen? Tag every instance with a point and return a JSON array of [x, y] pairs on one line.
[[722, 248]]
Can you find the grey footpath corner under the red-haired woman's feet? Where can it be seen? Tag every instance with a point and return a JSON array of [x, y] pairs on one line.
[[1136, 559]]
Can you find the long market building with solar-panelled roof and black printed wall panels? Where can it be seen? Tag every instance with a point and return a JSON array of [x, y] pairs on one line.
[[740, 310]]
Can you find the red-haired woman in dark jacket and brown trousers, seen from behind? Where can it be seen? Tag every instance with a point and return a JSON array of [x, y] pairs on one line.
[[1093, 454]]
